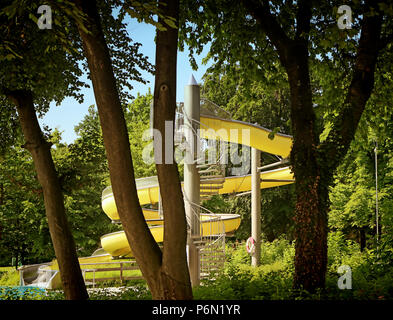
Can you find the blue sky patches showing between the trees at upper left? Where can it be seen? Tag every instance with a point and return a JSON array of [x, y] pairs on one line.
[[70, 112]]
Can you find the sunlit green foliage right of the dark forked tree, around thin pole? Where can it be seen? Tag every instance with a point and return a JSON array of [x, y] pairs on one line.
[[353, 195]]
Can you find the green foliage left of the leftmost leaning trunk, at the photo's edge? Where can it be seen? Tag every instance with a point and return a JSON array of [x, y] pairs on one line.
[[24, 229]]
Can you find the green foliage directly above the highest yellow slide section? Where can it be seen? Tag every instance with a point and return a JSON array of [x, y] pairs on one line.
[[263, 102]]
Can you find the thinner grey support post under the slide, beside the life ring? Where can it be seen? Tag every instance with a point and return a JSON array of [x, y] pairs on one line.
[[256, 205]]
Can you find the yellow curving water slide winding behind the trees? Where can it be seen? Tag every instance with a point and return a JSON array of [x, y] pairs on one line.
[[116, 243]]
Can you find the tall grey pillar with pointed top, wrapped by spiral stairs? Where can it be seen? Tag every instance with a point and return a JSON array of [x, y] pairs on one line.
[[191, 175]]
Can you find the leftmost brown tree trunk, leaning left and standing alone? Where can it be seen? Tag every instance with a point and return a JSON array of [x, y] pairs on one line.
[[63, 242]]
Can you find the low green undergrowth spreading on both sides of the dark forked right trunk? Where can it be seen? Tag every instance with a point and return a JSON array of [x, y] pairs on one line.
[[272, 280]]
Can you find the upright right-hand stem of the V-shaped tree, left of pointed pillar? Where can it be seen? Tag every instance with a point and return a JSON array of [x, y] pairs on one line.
[[174, 264]]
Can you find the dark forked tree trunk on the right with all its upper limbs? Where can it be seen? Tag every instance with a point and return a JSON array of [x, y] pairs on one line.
[[314, 163]]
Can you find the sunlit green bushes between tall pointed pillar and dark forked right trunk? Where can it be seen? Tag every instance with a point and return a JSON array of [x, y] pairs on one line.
[[271, 280]]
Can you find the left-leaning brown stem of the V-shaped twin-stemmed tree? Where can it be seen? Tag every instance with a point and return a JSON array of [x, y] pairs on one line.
[[114, 130]]
